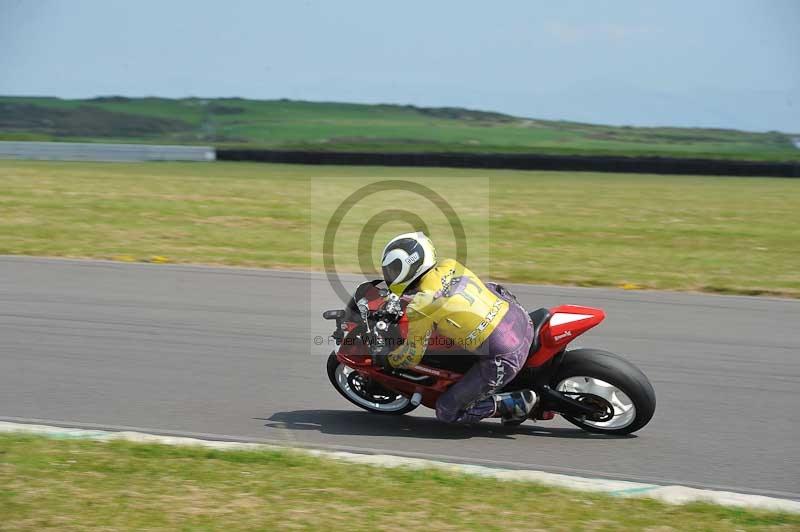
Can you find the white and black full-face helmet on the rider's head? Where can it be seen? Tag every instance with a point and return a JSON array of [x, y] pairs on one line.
[[406, 258]]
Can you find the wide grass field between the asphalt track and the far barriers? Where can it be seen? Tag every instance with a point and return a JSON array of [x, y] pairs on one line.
[[730, 235]]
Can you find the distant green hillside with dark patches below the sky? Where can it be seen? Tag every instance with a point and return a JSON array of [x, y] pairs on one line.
[[287, 124]]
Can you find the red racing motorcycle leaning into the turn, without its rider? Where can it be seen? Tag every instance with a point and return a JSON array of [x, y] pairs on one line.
[[598, 391]]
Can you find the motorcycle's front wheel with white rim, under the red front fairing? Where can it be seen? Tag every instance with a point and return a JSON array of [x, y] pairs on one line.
[[364, 393]]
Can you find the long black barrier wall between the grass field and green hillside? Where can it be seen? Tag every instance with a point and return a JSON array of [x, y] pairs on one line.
[[578, 163]]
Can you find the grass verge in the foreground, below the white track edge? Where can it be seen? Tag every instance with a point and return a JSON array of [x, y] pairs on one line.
[[80, 485]]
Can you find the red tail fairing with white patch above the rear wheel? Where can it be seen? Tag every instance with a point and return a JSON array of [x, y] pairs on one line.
[[566, 323]]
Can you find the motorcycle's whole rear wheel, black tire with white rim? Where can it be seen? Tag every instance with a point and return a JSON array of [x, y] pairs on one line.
[[617, 381]]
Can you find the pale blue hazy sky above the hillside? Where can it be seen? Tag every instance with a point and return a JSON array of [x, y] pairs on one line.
[[702, 63]]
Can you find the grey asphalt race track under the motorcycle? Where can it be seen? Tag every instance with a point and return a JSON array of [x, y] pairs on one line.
[[178, 349]]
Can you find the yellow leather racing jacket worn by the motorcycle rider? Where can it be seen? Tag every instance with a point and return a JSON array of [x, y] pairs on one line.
[[454, 301]]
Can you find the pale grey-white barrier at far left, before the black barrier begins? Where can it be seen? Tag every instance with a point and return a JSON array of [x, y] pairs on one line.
[[85, 151]]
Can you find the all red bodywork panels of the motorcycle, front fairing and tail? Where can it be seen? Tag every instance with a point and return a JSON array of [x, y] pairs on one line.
[[566, 323]]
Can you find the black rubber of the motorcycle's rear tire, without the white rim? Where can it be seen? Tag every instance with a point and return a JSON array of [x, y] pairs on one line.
[[616, 371]]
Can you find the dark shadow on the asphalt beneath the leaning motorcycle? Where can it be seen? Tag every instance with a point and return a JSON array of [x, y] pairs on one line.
[[354, 423]]
